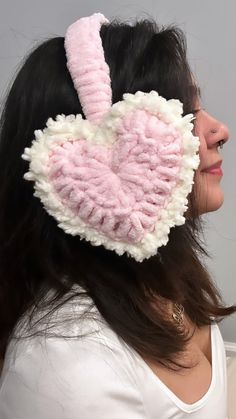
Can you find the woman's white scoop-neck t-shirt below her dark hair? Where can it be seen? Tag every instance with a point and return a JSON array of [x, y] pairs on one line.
[[96, 376]]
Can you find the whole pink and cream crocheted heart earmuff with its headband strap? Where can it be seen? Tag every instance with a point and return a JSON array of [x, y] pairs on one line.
[[119, 178]]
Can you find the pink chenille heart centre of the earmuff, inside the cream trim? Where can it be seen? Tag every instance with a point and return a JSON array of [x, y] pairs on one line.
[[120, 188]]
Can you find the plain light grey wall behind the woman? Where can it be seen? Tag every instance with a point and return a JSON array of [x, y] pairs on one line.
[[210, 29]]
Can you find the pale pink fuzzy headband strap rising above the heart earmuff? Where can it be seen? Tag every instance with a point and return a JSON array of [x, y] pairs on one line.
[[86, 64]]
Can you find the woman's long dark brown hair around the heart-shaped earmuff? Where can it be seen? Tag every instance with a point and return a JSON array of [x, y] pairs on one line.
[[37, 257]]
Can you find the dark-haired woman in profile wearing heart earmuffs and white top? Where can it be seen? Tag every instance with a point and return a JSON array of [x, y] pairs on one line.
[[106, 308]]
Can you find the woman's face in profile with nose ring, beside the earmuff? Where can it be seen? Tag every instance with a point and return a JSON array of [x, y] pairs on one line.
[[212, 133]]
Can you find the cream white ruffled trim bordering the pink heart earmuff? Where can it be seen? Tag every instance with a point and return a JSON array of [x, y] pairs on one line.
[[70, 127]]
